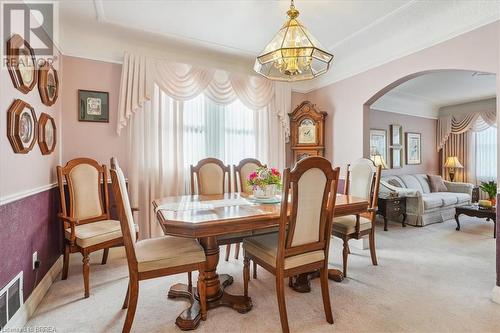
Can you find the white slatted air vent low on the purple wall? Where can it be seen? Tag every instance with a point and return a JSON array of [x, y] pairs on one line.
[[11, 298]]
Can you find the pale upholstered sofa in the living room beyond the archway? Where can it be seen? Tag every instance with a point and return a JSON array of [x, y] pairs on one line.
[[424, 207]]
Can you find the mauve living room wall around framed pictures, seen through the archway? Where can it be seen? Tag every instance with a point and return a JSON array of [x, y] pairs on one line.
[[425, 126]]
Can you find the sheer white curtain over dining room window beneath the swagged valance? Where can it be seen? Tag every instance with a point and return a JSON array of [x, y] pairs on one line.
[[167, 136]]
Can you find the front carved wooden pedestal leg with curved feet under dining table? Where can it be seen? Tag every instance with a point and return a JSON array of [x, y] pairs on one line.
[[190, 318]]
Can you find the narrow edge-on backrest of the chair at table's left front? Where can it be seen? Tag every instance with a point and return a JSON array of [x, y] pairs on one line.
[[125, 215]]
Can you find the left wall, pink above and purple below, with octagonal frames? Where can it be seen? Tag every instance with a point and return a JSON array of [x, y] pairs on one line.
[[28, 205]]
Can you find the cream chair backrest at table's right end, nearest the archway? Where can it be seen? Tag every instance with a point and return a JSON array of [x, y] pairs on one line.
[[363, 180]]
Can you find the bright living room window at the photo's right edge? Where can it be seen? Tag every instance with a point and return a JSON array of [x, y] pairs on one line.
[[486, 154]]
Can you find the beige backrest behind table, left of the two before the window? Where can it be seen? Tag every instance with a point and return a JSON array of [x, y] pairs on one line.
[[212, 176]]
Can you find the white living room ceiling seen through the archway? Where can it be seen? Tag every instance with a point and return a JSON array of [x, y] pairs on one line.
[[424, 95]]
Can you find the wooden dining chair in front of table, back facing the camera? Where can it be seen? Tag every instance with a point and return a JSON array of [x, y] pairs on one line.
[[302, 246]]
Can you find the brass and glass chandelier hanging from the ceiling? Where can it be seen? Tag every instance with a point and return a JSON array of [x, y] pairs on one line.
[[293, 54]]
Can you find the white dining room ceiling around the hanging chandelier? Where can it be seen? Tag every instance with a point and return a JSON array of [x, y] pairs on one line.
[[229, 34]]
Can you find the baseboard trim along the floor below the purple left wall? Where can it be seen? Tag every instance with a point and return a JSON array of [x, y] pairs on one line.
[[28, 308]]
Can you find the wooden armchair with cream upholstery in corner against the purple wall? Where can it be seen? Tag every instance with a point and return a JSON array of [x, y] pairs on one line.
[[87, 227]]
